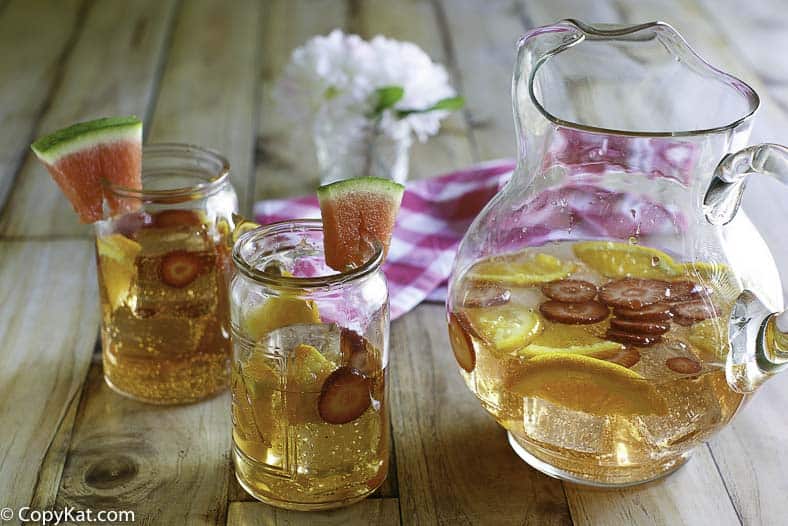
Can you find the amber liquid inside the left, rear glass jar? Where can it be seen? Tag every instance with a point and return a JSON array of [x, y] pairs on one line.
[[165, 344]]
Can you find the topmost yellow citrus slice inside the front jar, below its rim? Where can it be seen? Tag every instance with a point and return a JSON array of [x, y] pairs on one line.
[[278, 312]]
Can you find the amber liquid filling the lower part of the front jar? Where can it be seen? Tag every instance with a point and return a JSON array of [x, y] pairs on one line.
[[285, 454]]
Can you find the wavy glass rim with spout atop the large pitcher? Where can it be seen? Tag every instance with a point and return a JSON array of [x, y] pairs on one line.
[[621, 30]]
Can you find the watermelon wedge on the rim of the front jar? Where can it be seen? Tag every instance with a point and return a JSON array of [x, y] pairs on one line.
[[357, 213]]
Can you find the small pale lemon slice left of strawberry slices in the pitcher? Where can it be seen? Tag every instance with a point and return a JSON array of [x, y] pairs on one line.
[[505, 328]]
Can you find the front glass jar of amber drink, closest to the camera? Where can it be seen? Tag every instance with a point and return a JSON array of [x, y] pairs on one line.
[[309, 374]]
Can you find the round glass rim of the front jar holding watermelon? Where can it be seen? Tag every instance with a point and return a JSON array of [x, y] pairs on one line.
[[371, 265]]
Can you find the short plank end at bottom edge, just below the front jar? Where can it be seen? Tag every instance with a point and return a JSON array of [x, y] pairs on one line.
[[373, 512]]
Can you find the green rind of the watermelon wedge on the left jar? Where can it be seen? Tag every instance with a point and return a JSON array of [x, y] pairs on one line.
[[84, 135]]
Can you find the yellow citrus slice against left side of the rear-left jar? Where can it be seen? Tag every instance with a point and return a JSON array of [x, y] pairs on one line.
[[117, 255]]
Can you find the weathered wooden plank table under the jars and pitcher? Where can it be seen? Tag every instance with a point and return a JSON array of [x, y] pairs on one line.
[[202, 71]]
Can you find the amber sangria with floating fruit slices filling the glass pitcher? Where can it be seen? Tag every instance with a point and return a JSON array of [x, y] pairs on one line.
[[604, 360]]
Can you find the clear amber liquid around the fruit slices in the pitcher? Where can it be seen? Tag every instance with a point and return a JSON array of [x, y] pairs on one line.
[[600, 445]]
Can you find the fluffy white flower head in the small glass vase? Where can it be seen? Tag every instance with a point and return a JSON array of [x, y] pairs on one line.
[[336, 77]]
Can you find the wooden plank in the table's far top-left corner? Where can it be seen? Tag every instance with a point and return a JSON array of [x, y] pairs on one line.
[[41, 40]]
